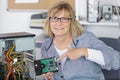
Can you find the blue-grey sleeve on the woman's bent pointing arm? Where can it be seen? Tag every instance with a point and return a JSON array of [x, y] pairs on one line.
[[111, 56]]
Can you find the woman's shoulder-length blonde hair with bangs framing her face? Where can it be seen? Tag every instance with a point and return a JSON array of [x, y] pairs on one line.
[[75, 28]]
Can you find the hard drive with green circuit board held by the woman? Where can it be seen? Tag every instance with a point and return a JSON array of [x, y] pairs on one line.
[[45, 65]]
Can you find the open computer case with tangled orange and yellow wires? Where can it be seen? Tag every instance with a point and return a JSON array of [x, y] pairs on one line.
[[17, 54]]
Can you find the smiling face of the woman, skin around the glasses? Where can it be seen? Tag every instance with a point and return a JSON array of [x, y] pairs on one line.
[[60, 28]]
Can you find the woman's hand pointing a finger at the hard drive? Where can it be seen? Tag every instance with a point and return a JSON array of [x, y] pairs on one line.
[[74, 53]]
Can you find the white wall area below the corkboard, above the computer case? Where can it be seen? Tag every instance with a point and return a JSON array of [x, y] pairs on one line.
[[15, 21]]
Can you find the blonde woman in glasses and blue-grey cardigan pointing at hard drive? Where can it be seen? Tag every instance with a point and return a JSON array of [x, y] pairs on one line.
[[80, 54]]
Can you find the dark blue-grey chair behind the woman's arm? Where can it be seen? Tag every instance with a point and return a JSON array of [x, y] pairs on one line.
[[115, 44]]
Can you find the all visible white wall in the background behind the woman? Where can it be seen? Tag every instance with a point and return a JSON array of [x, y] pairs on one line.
[[16, 21]]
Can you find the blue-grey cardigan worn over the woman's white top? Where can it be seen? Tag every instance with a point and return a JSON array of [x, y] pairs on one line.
[[83, 69]]
